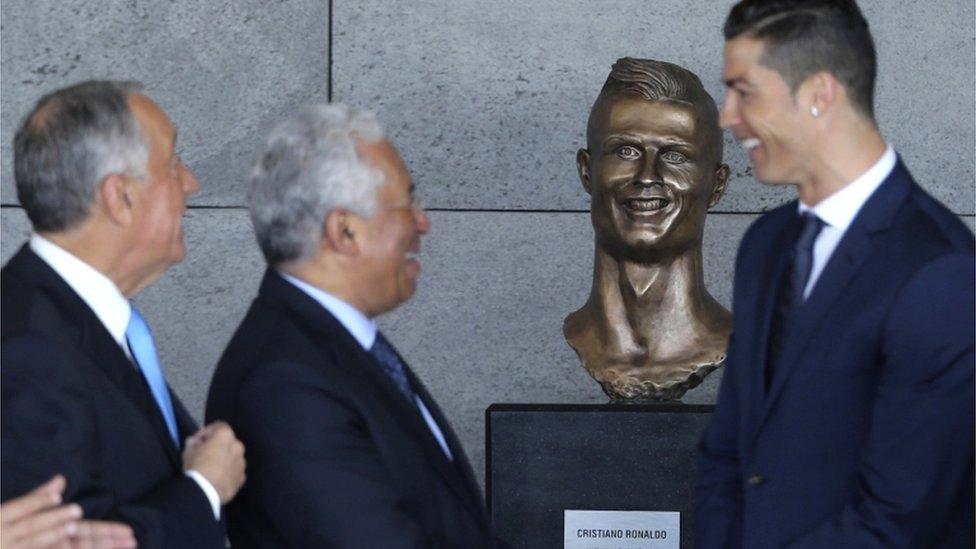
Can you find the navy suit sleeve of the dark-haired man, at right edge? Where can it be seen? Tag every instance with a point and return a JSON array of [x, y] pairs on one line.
[[919, 454]]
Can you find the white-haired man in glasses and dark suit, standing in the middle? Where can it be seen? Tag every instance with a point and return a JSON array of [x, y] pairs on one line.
[[345, 446]]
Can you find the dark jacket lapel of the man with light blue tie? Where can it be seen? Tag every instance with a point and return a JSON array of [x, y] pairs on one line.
[[101, 349]]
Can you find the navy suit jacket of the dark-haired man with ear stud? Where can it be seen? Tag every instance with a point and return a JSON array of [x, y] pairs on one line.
[[865, 438]]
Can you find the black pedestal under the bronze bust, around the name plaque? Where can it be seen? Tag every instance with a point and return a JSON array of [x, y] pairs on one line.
[[544, 459]]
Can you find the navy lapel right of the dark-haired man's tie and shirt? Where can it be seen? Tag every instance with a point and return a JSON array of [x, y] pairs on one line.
[[855, 248]]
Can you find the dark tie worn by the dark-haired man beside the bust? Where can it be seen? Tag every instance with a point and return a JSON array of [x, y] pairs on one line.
[[791, 294]]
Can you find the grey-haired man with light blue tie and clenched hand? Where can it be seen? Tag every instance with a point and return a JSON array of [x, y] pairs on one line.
[[83, 391]]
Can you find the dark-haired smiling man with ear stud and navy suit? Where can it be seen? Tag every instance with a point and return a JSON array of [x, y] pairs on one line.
[[845, 415]]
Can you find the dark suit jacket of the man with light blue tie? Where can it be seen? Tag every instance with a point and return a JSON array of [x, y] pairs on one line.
[[74, 404]]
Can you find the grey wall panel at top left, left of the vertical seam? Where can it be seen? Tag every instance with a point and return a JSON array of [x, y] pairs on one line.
[[224, 71]]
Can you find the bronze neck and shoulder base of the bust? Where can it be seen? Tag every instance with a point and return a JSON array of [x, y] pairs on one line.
[[653, 321]]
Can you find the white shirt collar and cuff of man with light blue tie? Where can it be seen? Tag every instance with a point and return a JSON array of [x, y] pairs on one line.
[[113, 310]]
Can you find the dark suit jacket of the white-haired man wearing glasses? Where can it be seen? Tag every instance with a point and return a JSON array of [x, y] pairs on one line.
[[336, 457]]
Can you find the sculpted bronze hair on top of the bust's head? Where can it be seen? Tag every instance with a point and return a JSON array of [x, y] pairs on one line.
[[662, 81]]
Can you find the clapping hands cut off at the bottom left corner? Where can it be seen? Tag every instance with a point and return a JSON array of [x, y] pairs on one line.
[[38, 520]]
